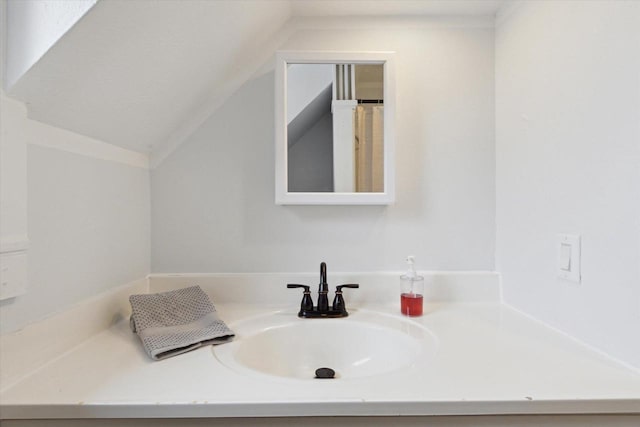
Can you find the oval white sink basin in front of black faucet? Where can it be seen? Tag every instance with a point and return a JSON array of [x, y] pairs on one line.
[[364, 344]]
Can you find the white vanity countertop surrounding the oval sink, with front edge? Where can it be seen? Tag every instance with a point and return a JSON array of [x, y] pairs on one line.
[[490, 359]]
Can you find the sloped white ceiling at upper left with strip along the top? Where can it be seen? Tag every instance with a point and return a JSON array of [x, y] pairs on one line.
[[136, 73]]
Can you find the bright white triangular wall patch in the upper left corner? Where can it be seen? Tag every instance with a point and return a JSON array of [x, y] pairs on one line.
[[33, 26]]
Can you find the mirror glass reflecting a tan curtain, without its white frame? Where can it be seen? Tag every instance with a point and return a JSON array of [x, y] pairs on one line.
[[335, 127]]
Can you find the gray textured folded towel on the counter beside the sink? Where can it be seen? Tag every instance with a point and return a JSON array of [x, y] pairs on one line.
[[171, 323]]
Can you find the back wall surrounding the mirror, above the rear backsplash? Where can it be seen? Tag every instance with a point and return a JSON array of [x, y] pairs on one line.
[[213, 204]]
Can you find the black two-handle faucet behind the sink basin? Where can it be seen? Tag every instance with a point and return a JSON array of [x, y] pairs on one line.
[[338, 308]]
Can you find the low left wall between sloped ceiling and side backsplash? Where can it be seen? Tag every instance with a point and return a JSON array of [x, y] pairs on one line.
[[87, 210]]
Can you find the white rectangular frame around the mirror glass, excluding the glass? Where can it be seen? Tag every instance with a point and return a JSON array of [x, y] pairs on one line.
[[283, 196]]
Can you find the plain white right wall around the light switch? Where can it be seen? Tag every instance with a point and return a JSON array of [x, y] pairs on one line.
[[568, 161]]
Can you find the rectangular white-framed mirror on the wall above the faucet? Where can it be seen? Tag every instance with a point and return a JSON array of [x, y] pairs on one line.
[[334, 128]]
